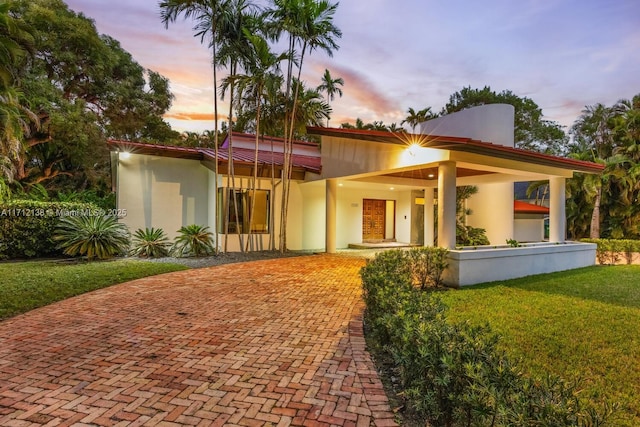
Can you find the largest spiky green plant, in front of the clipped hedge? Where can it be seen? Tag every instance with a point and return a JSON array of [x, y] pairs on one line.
[[93, 236]]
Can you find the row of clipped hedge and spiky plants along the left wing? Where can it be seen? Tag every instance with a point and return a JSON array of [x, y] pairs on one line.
[[31, 229]]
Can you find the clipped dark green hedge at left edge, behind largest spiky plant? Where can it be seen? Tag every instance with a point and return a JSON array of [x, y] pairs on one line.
[[27, 226]]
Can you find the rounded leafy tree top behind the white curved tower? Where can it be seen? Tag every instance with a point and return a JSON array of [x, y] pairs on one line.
[[532, 132]]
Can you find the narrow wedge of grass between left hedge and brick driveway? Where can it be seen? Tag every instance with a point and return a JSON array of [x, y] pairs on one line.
[[28, 285]]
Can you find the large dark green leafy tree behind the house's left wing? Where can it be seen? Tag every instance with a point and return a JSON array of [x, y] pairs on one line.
[[84, 88]]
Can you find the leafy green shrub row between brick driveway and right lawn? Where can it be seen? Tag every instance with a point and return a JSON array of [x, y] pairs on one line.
[[455, 374]]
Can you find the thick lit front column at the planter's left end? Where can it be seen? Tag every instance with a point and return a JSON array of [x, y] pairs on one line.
[[447, 205]]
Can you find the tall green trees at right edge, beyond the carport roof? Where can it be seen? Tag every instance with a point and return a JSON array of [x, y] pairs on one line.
[[607, 135]]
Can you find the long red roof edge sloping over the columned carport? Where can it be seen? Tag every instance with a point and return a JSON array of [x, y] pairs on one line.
[[461, 144]]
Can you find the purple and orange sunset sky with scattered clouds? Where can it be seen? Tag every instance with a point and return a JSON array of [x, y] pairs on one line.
[[396, 54]]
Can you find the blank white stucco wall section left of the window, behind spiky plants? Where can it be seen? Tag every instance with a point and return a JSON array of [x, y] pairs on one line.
[[162, 192]]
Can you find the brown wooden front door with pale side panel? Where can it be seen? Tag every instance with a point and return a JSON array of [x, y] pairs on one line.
[[378, 220]]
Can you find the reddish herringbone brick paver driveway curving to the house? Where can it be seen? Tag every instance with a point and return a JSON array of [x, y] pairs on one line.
[[275, 342]]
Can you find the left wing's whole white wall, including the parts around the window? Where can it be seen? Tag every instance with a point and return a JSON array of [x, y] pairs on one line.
[[169, 193]]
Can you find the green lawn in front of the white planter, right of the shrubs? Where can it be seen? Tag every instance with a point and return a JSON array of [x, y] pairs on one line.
[[582, 324]]
